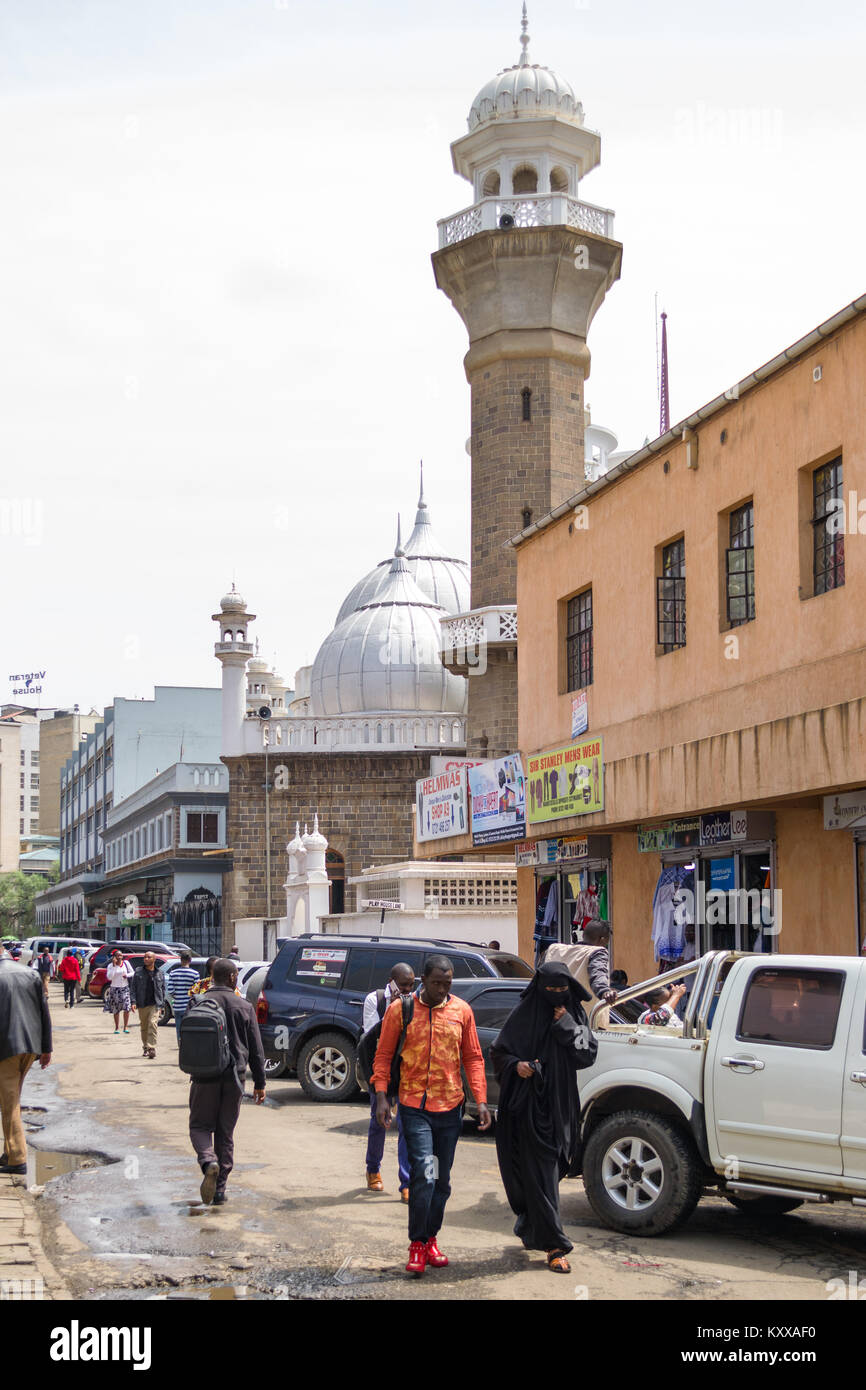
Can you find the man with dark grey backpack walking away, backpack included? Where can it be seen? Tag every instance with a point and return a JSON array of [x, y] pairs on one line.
[[219, 1038]]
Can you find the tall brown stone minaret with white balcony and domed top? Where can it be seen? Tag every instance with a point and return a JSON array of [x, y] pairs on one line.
[[526, 268]]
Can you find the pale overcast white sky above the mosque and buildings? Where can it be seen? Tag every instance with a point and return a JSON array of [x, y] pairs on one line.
[[222, 348]]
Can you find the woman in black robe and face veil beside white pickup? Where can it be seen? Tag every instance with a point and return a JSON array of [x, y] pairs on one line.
[[537, 1056]]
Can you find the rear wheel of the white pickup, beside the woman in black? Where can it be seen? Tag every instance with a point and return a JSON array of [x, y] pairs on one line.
[[642, 1174]]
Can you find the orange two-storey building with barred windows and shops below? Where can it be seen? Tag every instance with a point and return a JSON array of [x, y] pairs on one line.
[[703, 608]]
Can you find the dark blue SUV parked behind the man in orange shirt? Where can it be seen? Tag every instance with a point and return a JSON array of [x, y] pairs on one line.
[[312, 1001]]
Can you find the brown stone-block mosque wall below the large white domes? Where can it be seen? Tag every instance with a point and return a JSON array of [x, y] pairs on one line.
[[365, 806]]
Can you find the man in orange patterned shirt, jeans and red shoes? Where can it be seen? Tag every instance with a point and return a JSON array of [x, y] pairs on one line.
[[440, 1040]]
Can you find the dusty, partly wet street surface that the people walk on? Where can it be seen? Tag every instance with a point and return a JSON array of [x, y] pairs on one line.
[[301, 1224]]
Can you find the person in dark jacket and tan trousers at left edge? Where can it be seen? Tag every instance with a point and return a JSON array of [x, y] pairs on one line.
[[26, 1035]]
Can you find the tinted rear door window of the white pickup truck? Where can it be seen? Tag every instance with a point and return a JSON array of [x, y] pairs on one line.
[[792, 1008]]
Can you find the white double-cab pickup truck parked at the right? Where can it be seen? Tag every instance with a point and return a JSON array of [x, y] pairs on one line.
[[761, 1097]]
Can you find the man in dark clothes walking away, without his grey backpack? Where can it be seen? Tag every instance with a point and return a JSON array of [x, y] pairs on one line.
[[215, 1106]]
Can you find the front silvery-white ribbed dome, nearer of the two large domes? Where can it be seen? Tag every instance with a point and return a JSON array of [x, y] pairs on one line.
[[386, 657]]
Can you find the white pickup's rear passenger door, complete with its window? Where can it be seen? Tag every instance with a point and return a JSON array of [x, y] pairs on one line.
[[776, 1060]]
